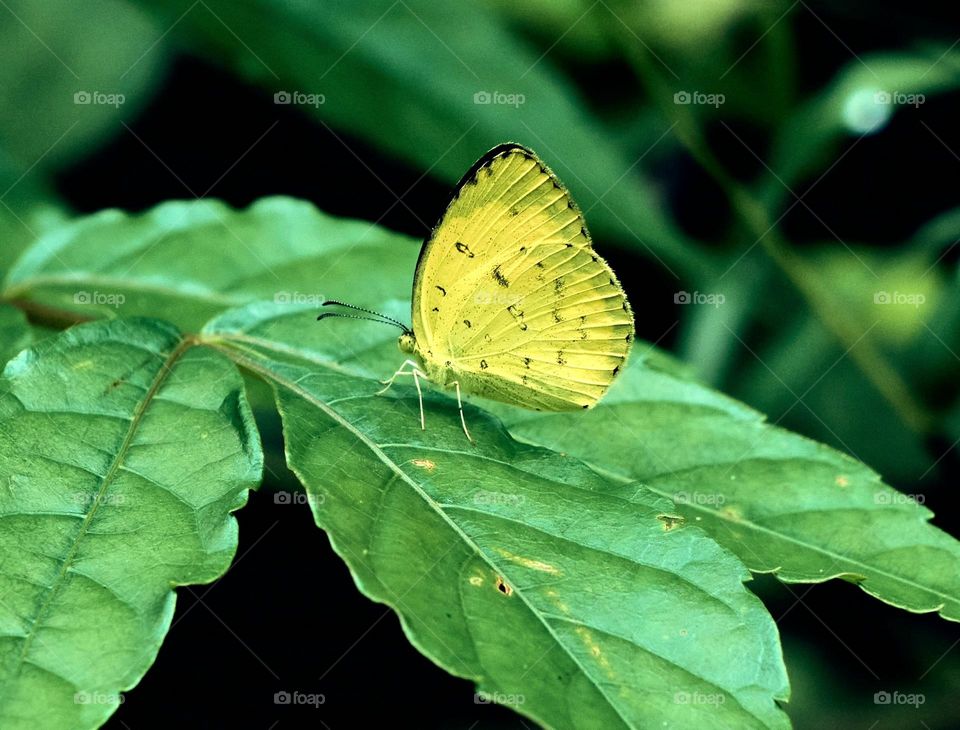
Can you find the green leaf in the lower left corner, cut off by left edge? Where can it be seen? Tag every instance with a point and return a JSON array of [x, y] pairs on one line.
[[124, 450]]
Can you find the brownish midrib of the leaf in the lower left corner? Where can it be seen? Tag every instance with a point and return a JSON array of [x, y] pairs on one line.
[[60, 579]]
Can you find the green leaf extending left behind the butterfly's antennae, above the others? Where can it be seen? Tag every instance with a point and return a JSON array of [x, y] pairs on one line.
[[187, 261]]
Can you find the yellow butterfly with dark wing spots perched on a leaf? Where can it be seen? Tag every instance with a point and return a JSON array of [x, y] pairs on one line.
[[510, 301]]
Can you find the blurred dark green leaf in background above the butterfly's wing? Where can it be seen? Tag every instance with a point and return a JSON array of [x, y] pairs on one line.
[[392, 50]]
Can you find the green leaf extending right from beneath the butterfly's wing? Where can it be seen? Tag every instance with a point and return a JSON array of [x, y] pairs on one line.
[[780, 502]]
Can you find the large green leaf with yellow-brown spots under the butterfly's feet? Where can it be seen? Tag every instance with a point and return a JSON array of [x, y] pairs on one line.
[[581, 602]]
